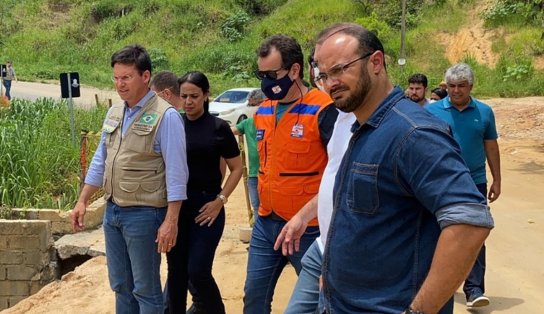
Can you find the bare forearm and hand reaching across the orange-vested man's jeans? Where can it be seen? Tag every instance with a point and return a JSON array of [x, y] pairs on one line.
[[289, 237]]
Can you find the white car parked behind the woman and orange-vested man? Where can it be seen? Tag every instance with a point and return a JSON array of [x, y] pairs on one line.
[[232, 107]]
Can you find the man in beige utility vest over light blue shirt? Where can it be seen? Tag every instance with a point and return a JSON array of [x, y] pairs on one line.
[[141, 163]]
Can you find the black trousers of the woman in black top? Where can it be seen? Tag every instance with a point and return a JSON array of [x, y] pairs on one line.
[[192, 257]]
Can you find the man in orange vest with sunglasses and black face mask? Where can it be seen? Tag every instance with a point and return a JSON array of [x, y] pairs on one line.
[[293, 127]]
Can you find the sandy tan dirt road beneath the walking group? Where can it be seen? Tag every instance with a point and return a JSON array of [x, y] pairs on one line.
[[515, 275]]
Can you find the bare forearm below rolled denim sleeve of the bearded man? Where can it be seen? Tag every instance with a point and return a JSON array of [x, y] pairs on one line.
[[456, 251]]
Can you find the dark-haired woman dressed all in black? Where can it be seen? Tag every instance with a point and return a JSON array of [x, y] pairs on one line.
[[202, 216]]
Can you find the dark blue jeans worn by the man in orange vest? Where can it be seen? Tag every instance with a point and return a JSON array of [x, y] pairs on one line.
[[264, 265]]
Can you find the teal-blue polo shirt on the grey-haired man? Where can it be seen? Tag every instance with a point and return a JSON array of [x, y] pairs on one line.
[[471, 127]]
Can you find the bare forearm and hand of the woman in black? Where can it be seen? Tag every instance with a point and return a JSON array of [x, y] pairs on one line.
[[210, 210]]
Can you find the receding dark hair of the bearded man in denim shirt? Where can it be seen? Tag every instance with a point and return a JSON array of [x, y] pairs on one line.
[[368, 41]]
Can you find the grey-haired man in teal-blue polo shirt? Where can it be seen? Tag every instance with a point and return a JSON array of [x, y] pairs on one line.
[[473, 126]]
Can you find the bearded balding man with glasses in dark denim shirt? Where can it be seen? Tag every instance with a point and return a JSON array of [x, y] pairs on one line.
[[408, 220]]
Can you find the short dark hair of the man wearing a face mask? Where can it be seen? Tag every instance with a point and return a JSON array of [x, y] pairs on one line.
[[289, 49]]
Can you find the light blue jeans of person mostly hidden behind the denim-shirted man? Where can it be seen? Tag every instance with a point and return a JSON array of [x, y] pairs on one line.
[[305, 297]]
